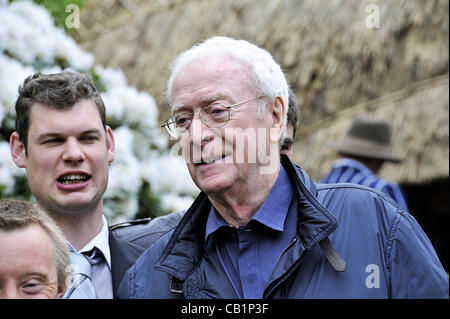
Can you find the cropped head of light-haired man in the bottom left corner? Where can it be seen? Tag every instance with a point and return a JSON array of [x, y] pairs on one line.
[[34, 256]]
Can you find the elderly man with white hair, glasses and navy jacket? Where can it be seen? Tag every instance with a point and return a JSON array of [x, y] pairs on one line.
[[261, 228]]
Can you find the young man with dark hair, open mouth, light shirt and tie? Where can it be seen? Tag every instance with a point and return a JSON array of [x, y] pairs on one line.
[[62, 140]]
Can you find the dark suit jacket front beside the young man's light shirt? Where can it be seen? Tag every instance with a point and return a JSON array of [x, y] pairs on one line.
[[123, 256]]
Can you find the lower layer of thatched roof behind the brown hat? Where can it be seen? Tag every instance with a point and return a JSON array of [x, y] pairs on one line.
[[419, 114]]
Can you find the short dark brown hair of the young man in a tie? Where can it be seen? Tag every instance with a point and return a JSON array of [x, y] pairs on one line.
[[60, 90]]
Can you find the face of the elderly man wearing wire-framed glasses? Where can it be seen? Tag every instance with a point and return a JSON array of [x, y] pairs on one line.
[[231, 155]]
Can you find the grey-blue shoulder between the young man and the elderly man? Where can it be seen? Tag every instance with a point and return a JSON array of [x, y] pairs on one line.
[[144, 232]]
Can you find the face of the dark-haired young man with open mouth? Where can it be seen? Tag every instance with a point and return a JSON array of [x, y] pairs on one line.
[[67, 158]]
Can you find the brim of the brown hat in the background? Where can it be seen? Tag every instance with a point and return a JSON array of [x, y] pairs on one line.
[[362, 148]]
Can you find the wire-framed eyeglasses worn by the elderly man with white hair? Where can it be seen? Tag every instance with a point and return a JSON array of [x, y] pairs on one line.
[[214, 116]]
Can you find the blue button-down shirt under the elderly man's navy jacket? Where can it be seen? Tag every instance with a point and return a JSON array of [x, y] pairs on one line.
[[248, 254]]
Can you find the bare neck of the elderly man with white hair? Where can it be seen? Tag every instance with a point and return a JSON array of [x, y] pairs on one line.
[[239, 204]]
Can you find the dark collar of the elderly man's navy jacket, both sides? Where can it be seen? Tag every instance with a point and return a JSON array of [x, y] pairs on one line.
[[185, 247]]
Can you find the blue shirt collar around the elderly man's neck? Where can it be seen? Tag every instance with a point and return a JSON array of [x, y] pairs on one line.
[[272, 213]]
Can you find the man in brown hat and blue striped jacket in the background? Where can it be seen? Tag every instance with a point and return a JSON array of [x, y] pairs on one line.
[[366, 147]]
